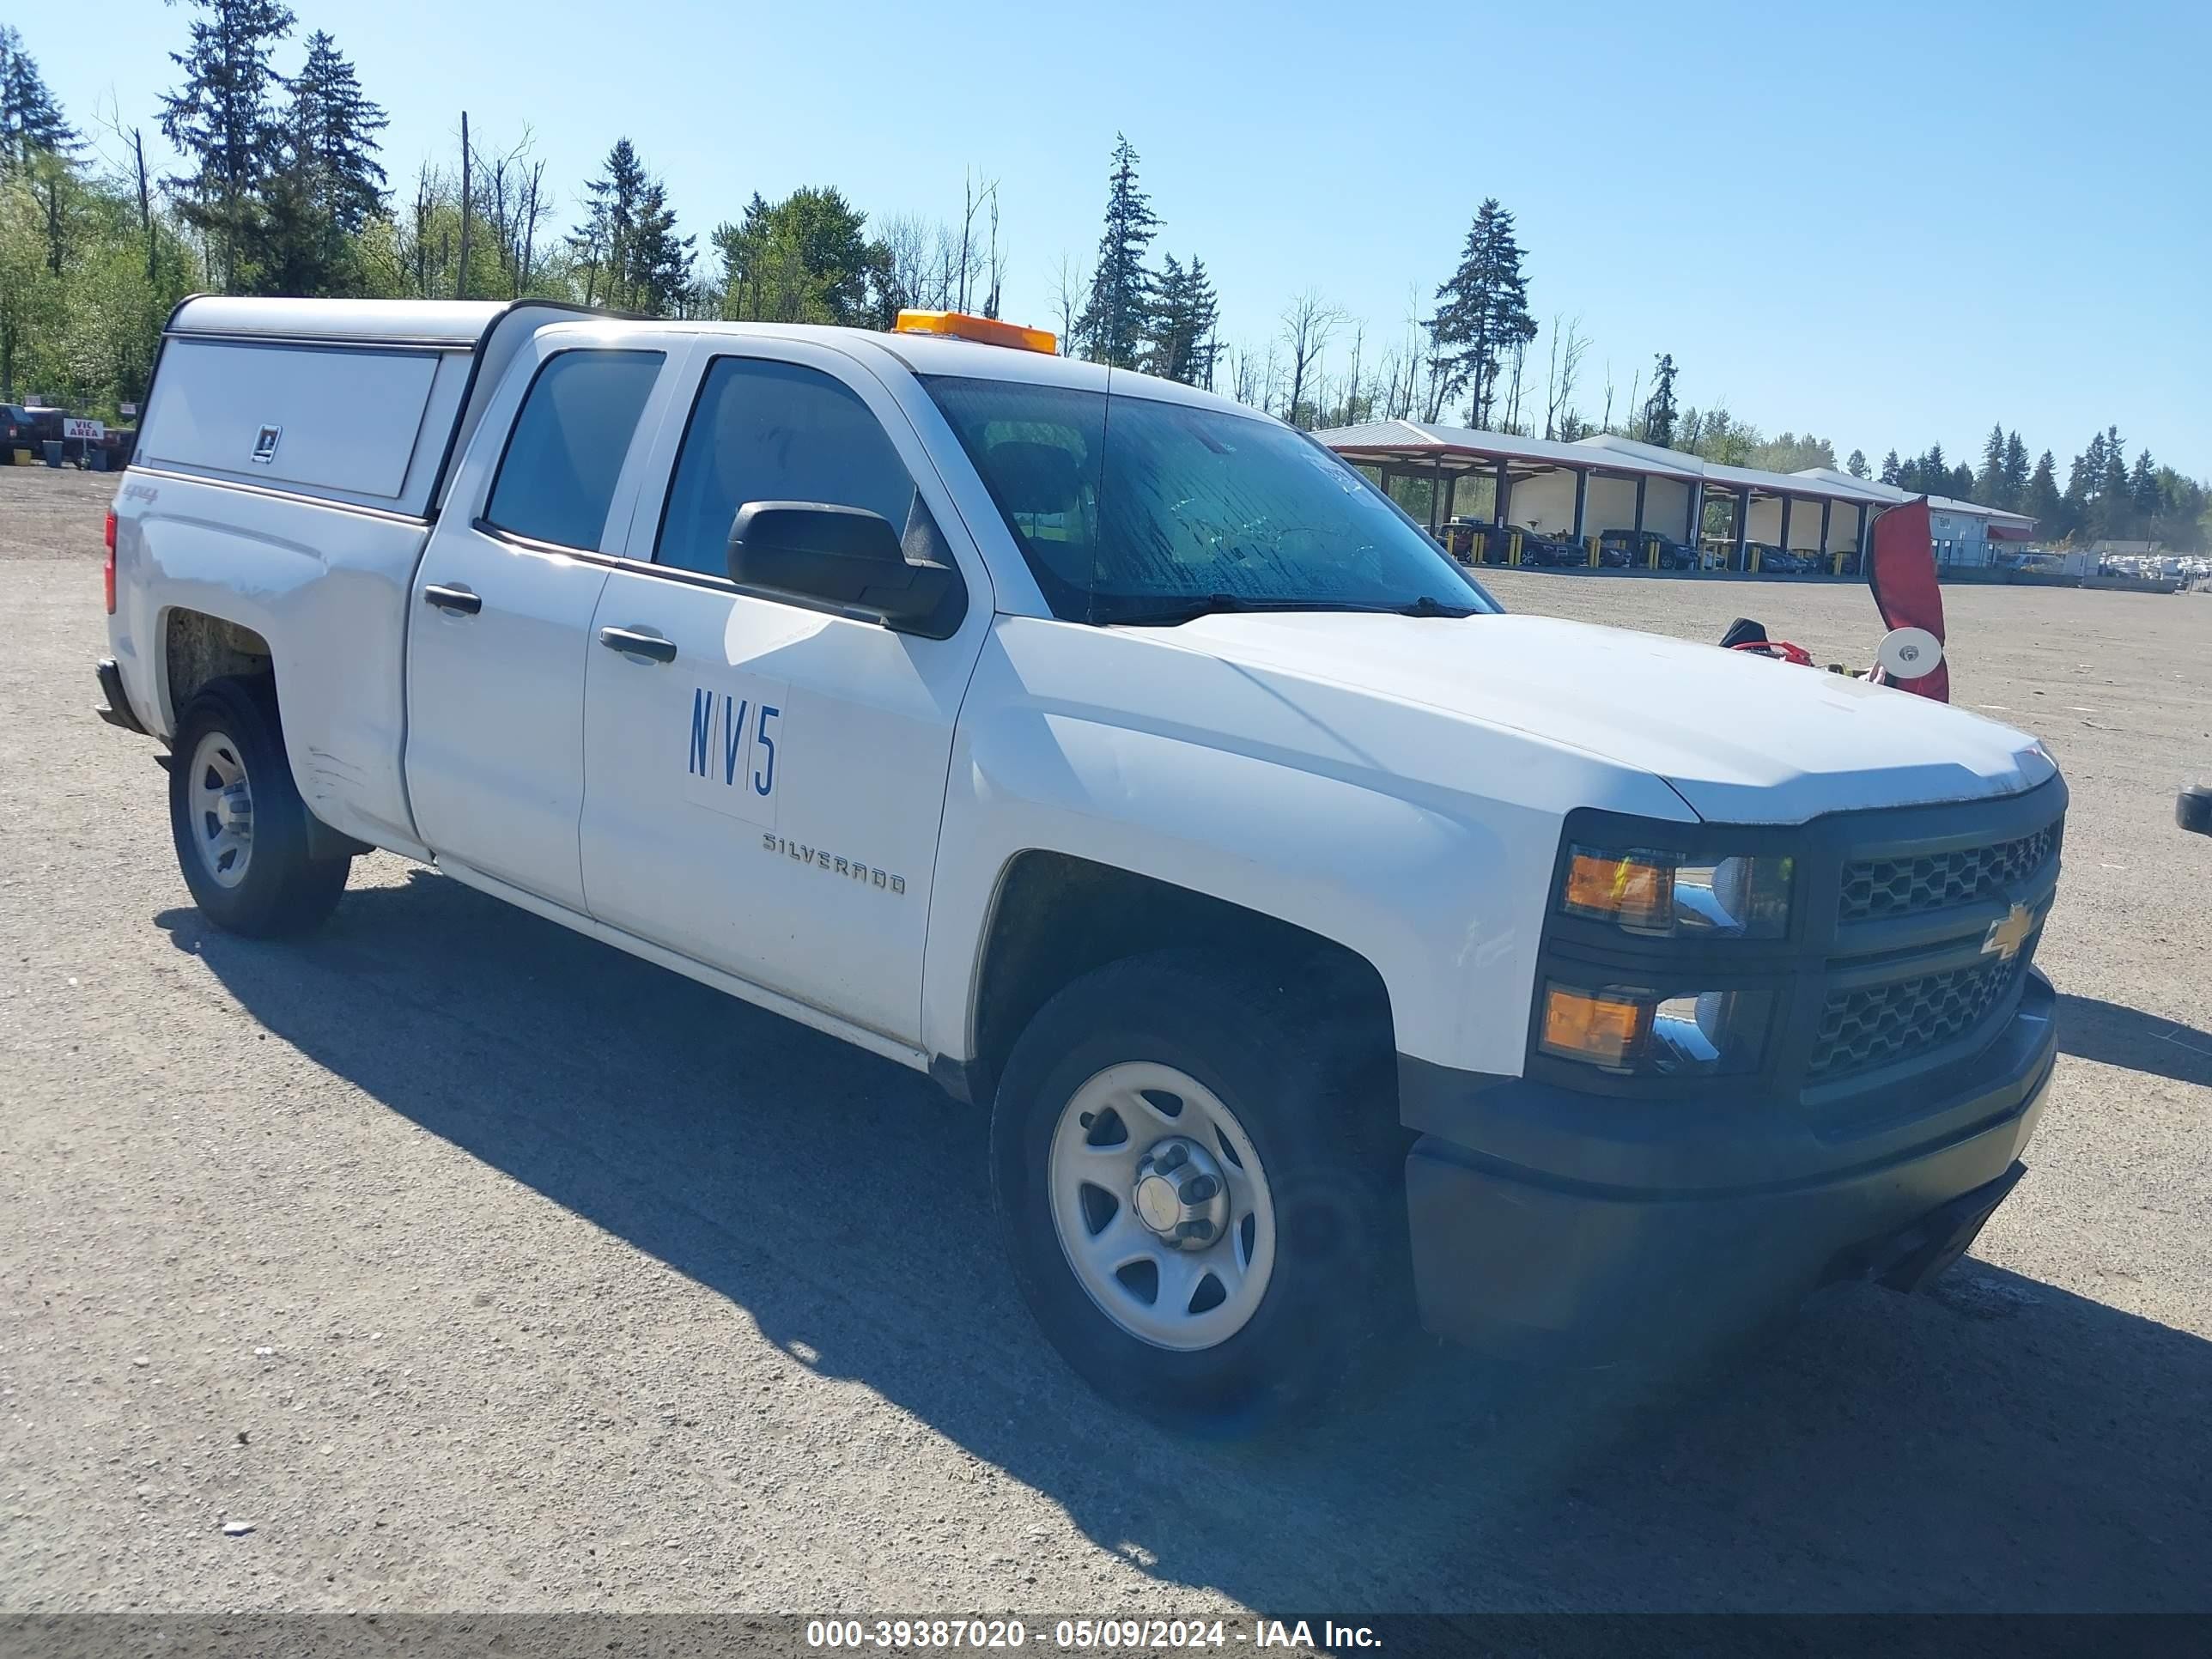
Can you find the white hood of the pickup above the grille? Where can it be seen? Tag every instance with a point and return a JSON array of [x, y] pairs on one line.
[[1742, 740]]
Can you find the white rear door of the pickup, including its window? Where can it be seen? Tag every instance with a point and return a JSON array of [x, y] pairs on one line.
[[501, 616]]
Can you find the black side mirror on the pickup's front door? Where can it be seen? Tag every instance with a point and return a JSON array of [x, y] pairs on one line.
[[844, 559]]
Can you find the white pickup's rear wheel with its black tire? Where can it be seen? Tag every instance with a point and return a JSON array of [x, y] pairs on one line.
[[229, 773]]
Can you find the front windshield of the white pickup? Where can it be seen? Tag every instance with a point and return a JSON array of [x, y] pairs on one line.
[[1134, 510]]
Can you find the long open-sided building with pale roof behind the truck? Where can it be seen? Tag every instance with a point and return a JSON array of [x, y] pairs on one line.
[[1609, 483]]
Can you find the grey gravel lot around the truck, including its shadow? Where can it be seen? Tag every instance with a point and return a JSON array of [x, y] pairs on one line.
[[479, 1266]]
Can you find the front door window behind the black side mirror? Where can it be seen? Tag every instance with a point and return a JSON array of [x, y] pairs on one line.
[[775, 432]]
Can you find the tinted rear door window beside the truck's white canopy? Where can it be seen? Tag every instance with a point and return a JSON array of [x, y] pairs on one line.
[[567, 446]]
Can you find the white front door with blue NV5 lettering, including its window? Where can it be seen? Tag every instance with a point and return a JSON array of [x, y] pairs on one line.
[[764, 780]]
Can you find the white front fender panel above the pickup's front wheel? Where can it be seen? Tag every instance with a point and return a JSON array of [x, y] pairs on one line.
[[1286, 808]]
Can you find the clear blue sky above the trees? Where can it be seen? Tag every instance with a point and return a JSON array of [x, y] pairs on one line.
[[1890, 225]]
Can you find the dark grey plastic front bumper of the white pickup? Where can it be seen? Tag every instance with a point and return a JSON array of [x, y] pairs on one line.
[[1565, 1255]]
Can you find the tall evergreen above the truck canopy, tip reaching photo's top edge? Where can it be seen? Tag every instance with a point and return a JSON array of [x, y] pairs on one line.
[[225, 125]]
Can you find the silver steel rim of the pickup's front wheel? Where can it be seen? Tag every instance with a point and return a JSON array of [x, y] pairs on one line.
[[1162, 1207]]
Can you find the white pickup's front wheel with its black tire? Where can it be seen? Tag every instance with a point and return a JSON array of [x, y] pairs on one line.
[[1313, 1094]]
